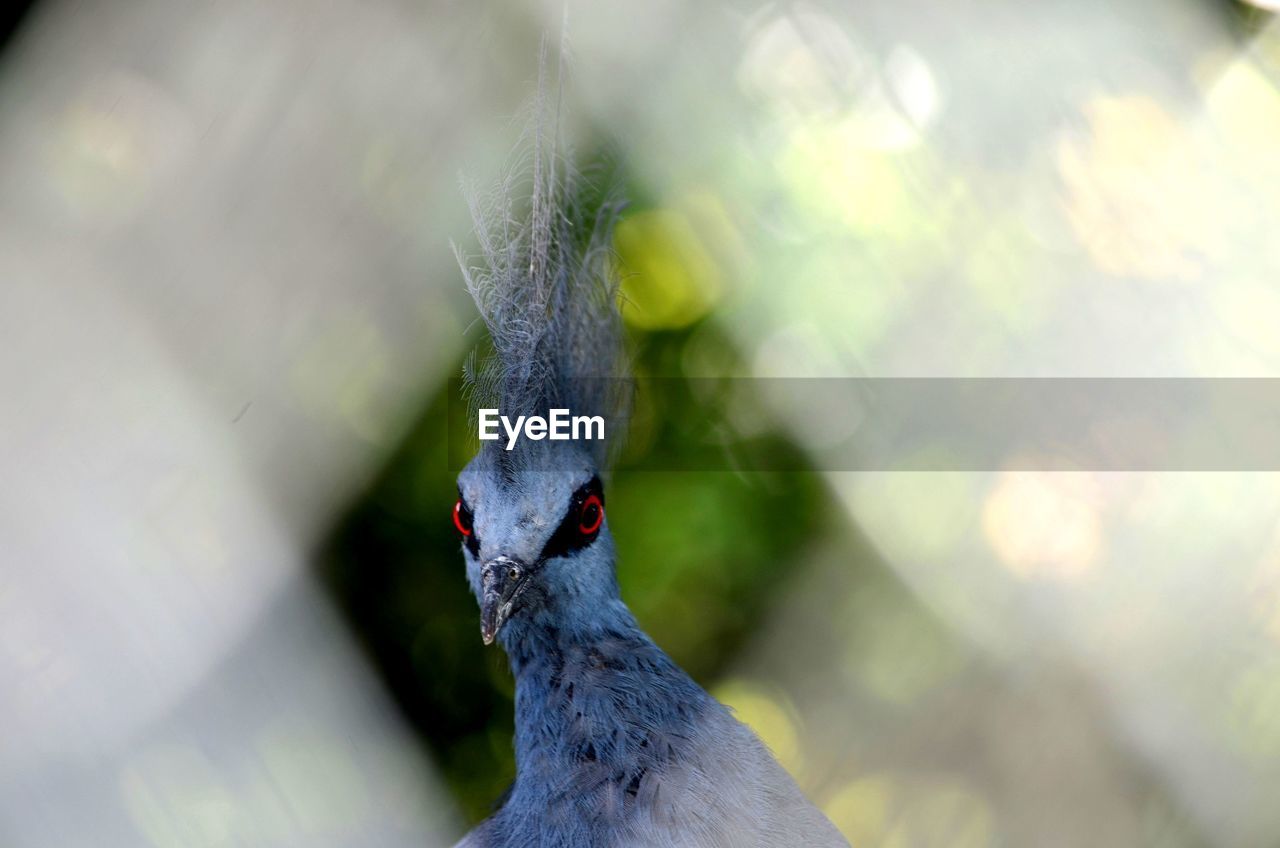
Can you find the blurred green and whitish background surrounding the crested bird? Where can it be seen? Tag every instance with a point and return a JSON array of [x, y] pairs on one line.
[[232, 609]]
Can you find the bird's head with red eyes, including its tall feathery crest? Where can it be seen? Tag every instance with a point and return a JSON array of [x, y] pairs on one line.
[[547, 286]]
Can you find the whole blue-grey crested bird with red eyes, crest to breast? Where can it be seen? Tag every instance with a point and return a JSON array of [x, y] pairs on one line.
[[616, 746]]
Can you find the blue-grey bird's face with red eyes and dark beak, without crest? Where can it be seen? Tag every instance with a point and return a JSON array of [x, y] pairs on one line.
[[536, 541]]
